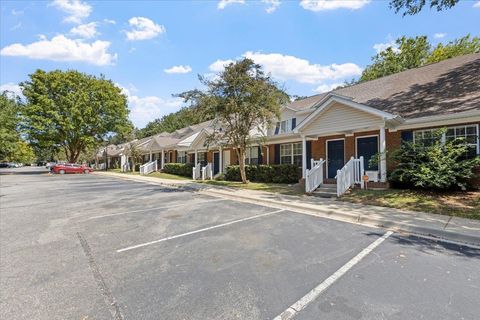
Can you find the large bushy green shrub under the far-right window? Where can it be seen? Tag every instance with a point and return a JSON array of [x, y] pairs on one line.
[[438, 166]]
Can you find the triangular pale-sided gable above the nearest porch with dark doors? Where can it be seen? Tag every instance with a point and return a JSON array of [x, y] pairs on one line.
[[339, 118]]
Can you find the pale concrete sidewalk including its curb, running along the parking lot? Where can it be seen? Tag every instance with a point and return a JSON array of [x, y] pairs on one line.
[[425, 224]]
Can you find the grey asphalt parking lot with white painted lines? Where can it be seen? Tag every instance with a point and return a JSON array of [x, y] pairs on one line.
[[92, 247]]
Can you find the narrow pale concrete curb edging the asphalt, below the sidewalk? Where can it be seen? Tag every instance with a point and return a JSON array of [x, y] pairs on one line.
[[438, 234]]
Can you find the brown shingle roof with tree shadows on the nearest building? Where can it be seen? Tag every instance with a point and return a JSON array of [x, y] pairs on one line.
[[440, 88]]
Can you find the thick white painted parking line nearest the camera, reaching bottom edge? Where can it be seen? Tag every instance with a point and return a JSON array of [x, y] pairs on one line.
[[295, 308]]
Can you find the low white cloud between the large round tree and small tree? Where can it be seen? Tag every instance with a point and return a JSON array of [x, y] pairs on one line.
[[146, 109]]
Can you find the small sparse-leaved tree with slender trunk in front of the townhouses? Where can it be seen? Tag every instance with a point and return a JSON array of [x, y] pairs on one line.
[[243, 100]]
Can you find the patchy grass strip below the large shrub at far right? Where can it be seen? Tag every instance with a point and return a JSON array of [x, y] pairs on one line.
[[458, 204]]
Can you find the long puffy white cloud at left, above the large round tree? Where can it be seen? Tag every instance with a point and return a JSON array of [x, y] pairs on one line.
[[61, 48]]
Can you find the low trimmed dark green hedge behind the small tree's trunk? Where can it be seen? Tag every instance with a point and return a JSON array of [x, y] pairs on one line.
[[278, 173]]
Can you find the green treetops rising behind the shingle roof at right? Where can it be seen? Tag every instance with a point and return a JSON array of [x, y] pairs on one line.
[[415, 52]]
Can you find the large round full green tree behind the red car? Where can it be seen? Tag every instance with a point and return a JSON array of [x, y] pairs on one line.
[[72, 110]]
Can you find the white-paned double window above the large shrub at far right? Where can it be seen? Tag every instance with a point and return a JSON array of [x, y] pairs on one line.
[[467, 132]]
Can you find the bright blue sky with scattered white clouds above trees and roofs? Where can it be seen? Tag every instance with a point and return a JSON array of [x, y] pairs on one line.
[[153, 49]]
